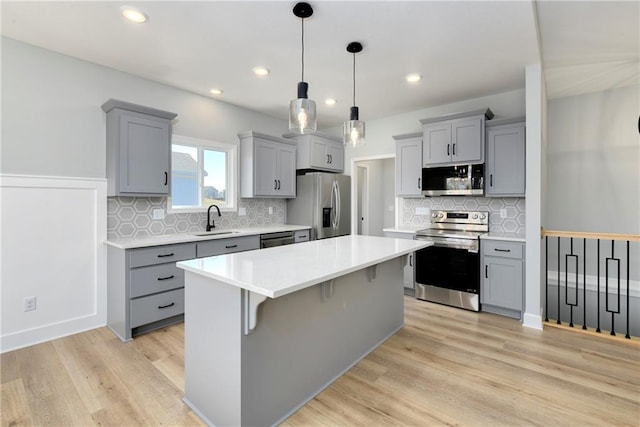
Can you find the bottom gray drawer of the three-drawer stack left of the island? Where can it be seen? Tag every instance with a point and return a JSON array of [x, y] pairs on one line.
[[156, 307]]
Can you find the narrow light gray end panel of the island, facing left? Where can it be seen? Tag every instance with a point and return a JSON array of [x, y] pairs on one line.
[[213, 330]]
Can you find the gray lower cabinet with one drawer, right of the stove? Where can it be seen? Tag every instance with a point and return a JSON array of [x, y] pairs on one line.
[[502, 264]]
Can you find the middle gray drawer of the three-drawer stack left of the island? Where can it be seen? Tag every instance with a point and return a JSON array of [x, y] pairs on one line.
[[155, 278]]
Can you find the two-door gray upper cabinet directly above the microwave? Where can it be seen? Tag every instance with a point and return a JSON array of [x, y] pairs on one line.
[[454, 139]]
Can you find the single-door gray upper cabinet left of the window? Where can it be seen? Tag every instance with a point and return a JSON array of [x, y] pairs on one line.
[[138, 149]]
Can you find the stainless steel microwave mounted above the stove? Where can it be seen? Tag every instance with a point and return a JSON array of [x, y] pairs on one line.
[[461, 180]]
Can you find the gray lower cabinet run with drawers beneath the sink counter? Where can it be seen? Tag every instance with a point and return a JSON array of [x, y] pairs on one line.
[[145, 288]]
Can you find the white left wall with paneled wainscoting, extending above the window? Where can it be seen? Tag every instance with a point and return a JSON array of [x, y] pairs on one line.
[[52, 125]]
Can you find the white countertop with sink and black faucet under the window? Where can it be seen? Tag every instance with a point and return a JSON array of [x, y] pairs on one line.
[[168, 239]]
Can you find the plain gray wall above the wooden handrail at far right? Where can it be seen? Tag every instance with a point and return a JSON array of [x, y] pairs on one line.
[[593, 162]]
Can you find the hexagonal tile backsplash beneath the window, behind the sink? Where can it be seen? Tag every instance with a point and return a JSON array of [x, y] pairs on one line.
[[133, 217]]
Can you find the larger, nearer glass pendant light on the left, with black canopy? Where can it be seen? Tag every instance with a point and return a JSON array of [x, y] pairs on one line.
[[302, 111]]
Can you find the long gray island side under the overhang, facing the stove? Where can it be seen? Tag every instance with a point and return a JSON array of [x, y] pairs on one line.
[[301, 343]]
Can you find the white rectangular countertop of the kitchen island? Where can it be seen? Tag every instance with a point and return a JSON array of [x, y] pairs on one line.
[[279, 271]]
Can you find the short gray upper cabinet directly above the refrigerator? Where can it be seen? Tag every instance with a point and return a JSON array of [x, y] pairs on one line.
[[318, 152]]
